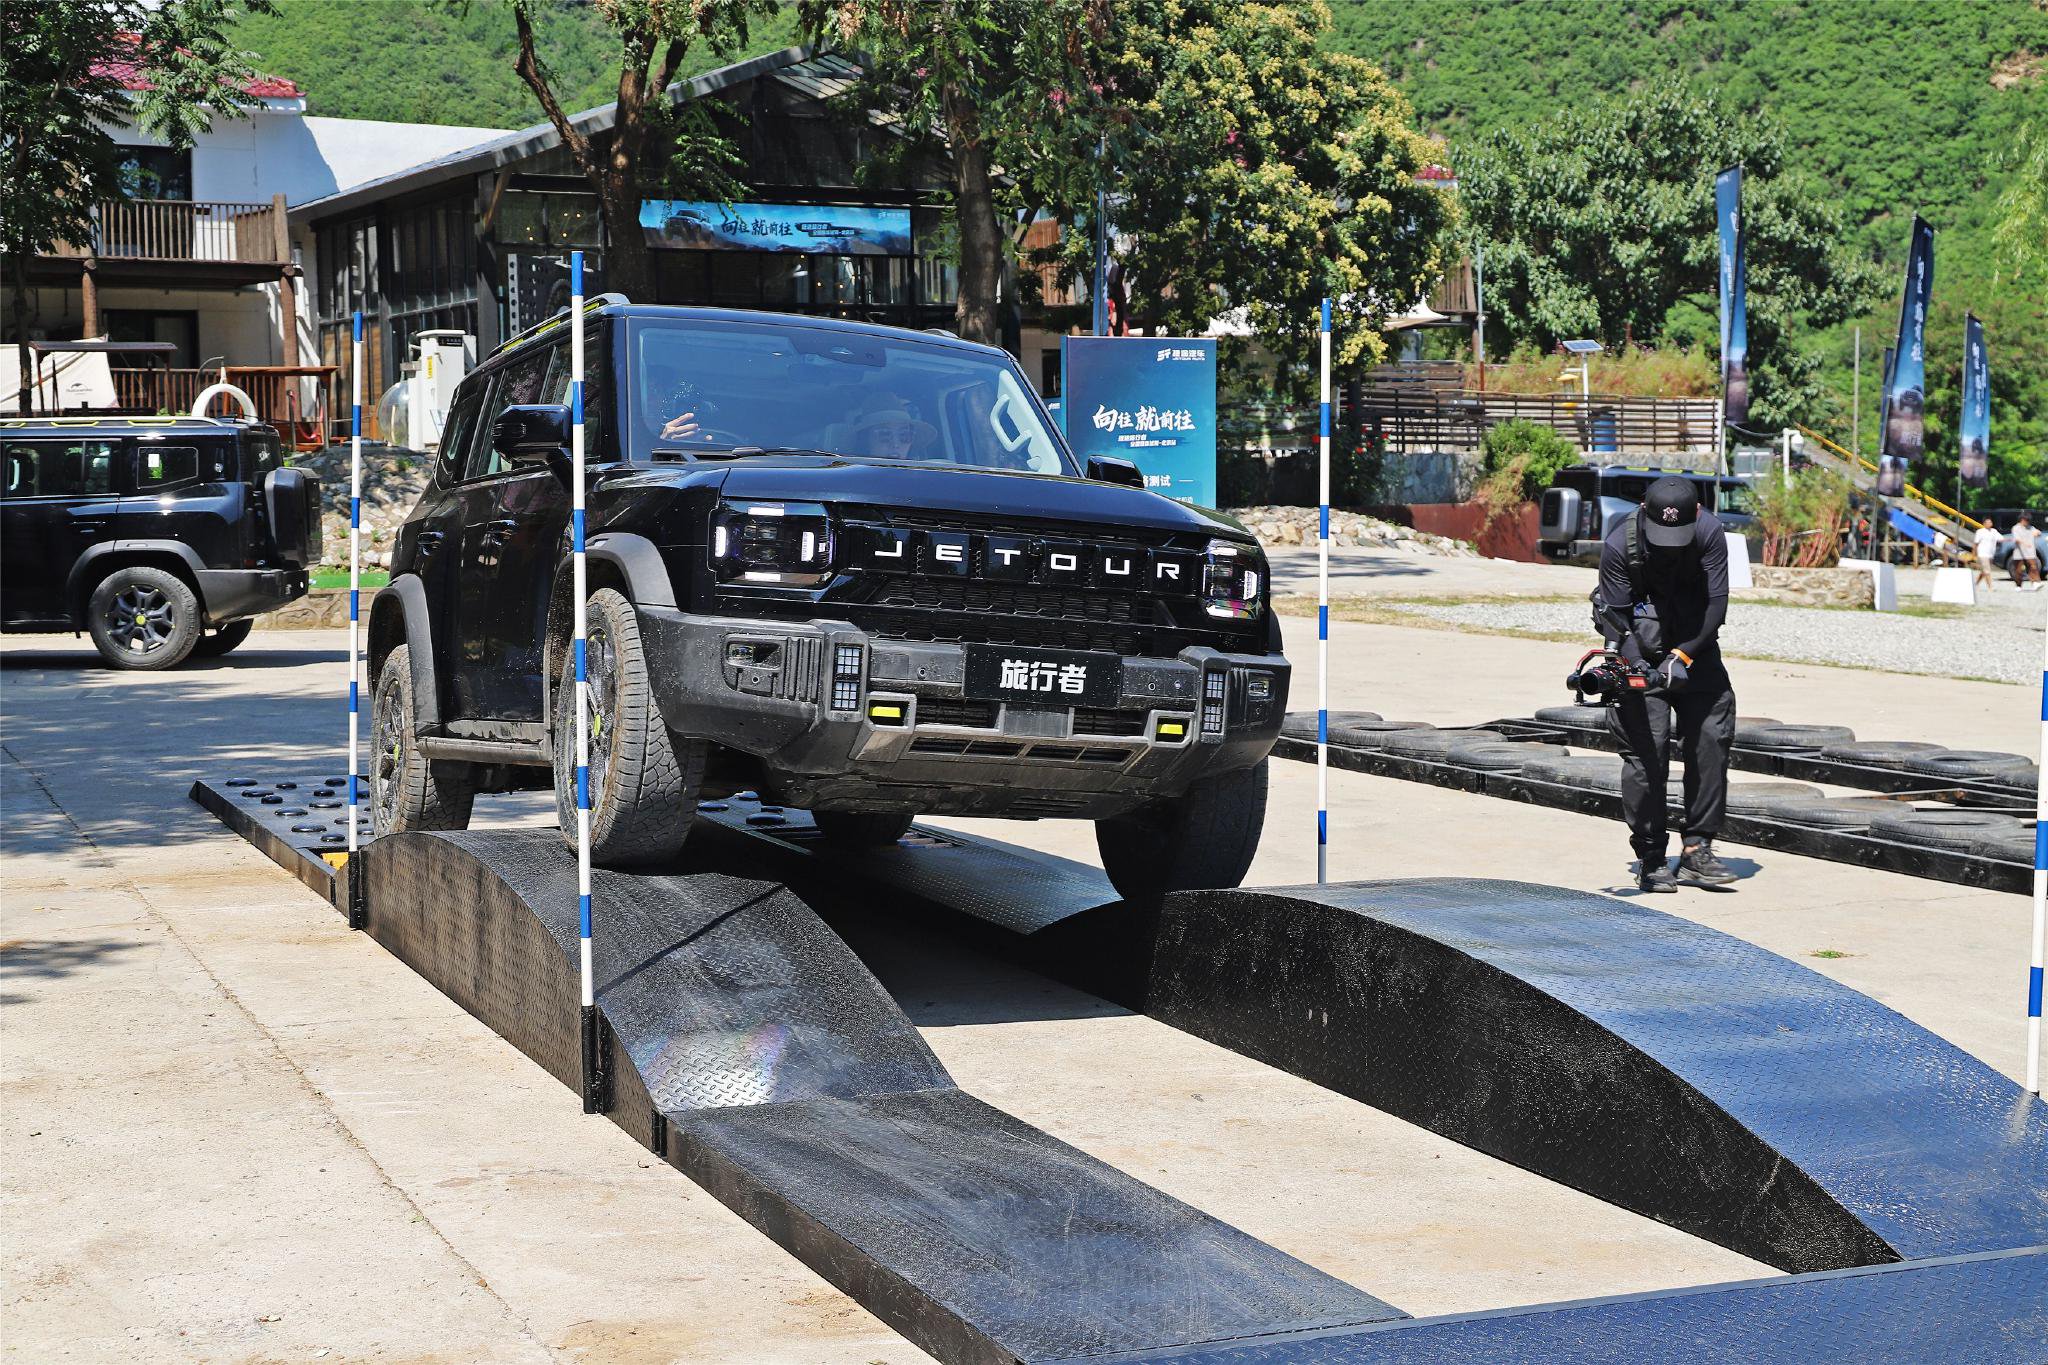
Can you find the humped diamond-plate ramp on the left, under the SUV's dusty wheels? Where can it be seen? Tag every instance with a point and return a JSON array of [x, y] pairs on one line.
[[757, 1055]]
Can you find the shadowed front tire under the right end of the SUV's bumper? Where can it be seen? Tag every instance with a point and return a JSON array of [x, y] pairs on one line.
[[1203, 840]]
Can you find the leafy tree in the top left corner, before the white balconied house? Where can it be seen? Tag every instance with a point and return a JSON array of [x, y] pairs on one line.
[[60, 105]]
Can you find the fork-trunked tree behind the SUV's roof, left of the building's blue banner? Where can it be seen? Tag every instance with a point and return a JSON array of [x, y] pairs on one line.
[[652, 144]]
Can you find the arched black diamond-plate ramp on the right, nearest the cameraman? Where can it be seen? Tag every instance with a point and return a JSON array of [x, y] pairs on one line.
[[1621, 1051]]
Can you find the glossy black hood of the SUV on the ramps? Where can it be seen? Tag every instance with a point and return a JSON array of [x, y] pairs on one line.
[[984, 492]]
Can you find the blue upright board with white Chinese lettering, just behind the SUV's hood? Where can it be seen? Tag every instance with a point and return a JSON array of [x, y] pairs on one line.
[[1150, 400]]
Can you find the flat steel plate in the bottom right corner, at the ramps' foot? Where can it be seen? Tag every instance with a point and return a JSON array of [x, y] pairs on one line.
[[1969, 1311]]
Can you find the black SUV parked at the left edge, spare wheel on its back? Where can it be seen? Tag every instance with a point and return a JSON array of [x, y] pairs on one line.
[[161, 537]]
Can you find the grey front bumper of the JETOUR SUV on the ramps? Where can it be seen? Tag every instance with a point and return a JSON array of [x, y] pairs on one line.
[[906, 738]]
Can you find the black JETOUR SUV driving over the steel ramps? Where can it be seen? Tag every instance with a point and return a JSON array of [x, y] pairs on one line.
[[847, 568]]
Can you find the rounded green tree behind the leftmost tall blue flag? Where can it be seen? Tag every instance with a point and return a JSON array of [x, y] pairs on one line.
[[1601, 222]]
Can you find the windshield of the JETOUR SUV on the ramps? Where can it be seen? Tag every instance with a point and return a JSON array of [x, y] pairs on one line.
[[710, 388]]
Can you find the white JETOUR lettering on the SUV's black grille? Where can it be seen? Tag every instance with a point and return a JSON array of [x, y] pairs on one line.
[[1025, 560]]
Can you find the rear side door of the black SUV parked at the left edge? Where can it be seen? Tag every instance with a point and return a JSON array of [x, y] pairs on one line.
[[58, 500]]
